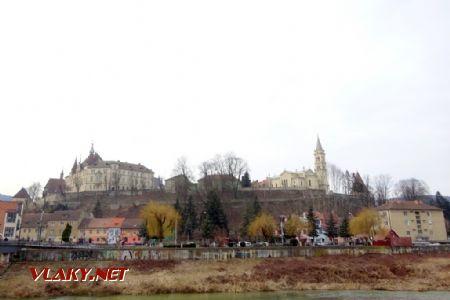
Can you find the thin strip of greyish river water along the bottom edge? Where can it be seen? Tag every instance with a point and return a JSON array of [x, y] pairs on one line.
[[323, 295]]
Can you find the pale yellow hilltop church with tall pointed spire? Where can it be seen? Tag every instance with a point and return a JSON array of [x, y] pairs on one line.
[[307, 179]]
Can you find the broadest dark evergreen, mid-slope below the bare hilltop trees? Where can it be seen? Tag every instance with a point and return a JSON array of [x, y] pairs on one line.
[[215, 218]]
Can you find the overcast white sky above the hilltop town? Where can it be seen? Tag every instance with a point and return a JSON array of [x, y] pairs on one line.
[[148, 82]]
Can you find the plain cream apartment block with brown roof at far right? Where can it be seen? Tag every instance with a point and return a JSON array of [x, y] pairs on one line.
[[414, 219]]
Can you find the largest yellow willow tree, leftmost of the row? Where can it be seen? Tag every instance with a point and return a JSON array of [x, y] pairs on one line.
[[160, 219]]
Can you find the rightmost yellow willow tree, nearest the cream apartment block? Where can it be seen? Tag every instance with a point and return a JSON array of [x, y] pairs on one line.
[[367, 222]]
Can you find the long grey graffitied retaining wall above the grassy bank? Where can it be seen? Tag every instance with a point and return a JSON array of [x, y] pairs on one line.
[[209, 253]]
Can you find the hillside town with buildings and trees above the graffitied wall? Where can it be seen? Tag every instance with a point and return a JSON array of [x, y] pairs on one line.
[[103, 201]]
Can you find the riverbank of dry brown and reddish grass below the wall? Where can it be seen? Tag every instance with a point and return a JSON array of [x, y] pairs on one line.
[[368, 272]]
